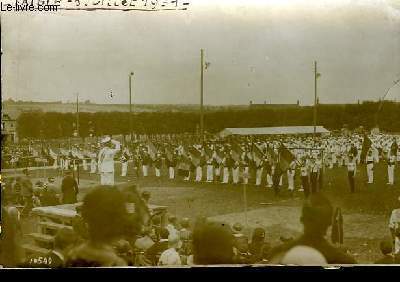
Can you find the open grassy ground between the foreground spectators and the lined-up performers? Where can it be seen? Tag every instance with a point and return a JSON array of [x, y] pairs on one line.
[[366, 213]]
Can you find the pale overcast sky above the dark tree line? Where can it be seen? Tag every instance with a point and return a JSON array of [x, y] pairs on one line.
[[258, 50]]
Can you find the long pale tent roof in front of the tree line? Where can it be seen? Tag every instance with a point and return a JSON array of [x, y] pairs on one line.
[[273, 130]]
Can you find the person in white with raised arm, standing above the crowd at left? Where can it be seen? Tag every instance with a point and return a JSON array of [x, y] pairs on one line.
[[106, 161]]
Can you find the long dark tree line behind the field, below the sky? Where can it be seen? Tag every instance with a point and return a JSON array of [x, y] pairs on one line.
[[39, 124]]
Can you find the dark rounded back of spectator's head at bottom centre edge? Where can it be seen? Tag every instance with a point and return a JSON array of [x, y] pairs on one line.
[[213, 243]]
